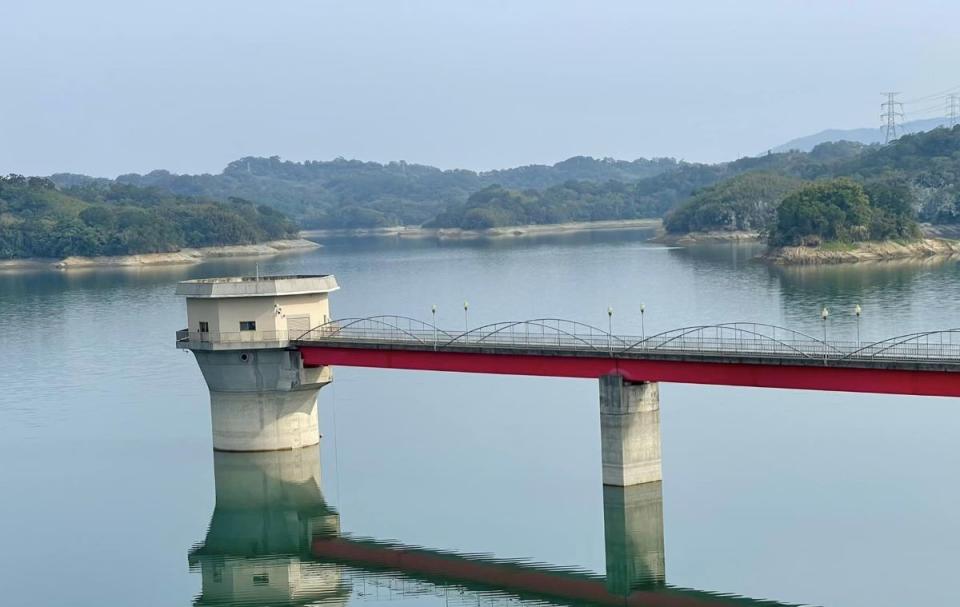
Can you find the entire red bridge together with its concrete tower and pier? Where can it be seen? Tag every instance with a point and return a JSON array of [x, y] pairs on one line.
[[264, 378]]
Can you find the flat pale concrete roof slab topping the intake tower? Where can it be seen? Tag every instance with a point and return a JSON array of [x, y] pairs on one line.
[[257, 286]]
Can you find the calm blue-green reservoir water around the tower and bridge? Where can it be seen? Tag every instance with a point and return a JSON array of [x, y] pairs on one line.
[[110, 492]]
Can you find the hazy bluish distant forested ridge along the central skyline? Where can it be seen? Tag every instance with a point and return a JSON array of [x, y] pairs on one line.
[[355, 194]]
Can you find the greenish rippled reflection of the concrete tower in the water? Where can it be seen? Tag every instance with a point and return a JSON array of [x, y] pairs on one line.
[[257, 549]]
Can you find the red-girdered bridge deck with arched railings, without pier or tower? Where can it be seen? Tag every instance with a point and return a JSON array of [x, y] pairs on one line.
[[730, 354]]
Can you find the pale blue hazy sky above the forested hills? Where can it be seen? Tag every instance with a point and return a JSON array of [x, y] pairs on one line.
[[107, 87]]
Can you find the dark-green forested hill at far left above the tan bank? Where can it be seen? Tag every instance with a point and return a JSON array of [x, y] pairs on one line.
[[39, 220]]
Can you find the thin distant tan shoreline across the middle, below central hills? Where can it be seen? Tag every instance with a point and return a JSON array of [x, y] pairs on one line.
[[502, 232]]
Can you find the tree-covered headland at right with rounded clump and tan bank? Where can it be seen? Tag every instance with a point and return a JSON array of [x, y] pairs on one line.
[[828, 221]]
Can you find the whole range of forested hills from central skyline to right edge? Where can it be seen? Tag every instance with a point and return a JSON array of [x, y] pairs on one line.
[[742, 194]]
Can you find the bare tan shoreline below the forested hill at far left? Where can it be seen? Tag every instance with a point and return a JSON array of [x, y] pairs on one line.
[[181, 257]]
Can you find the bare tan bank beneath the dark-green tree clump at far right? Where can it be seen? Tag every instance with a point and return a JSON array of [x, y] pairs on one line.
[[865, 251]]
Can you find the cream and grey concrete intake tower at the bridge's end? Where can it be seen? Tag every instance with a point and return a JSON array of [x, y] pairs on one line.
[[262, 396]]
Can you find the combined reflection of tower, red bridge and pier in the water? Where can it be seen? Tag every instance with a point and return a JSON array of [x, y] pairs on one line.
[[273, 540]]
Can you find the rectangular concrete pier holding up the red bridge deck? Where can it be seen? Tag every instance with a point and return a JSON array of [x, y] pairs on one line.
[[629, 431]]
